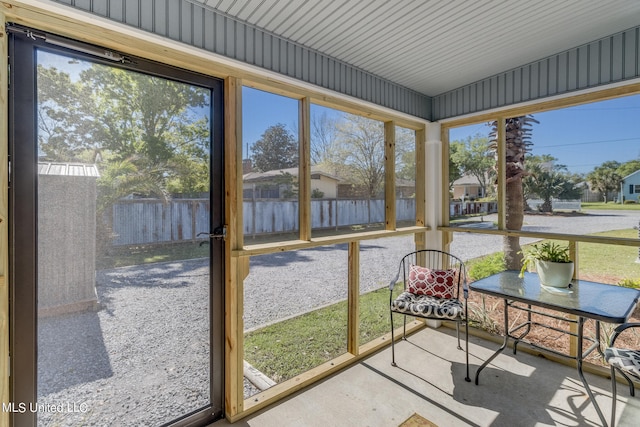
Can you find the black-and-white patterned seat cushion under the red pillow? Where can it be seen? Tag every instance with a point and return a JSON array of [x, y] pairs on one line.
[[427, 306]]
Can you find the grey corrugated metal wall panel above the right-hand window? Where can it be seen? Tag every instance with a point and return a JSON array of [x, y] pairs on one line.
[[601, 62]]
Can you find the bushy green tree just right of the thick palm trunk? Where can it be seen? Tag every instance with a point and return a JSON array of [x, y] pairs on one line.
[[547, 180]]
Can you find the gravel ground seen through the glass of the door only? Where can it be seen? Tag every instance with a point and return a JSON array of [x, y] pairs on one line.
[[140, 359]]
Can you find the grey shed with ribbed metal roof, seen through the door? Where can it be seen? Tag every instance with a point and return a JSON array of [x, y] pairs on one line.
[[67, 237]]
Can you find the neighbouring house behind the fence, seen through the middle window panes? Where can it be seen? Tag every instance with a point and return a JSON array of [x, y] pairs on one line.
[[280, 183]]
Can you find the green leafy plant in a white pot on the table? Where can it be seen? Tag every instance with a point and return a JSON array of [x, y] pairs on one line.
[[552, 263]]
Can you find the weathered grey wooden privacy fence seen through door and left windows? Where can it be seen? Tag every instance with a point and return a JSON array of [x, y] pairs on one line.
[[148, 221]]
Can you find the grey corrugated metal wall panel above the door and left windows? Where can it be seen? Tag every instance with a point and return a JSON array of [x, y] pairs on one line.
[[196, 25]]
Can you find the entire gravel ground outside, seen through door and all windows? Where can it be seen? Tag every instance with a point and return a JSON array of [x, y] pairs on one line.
[[144, 355]]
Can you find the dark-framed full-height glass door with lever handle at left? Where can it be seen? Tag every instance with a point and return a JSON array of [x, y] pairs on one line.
[[117, 287]]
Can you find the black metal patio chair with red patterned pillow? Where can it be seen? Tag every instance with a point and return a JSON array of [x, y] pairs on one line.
[[432, 282]]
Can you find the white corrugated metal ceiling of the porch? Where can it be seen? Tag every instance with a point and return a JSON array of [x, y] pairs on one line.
[[436, 45]]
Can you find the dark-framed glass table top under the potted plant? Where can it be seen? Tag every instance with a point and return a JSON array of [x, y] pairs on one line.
[[607, 303]]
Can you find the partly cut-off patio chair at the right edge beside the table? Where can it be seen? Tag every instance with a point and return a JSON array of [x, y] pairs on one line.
[[624, 361]]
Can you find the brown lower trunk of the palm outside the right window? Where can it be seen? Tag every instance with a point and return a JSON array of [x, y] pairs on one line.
[[514, 217]]
